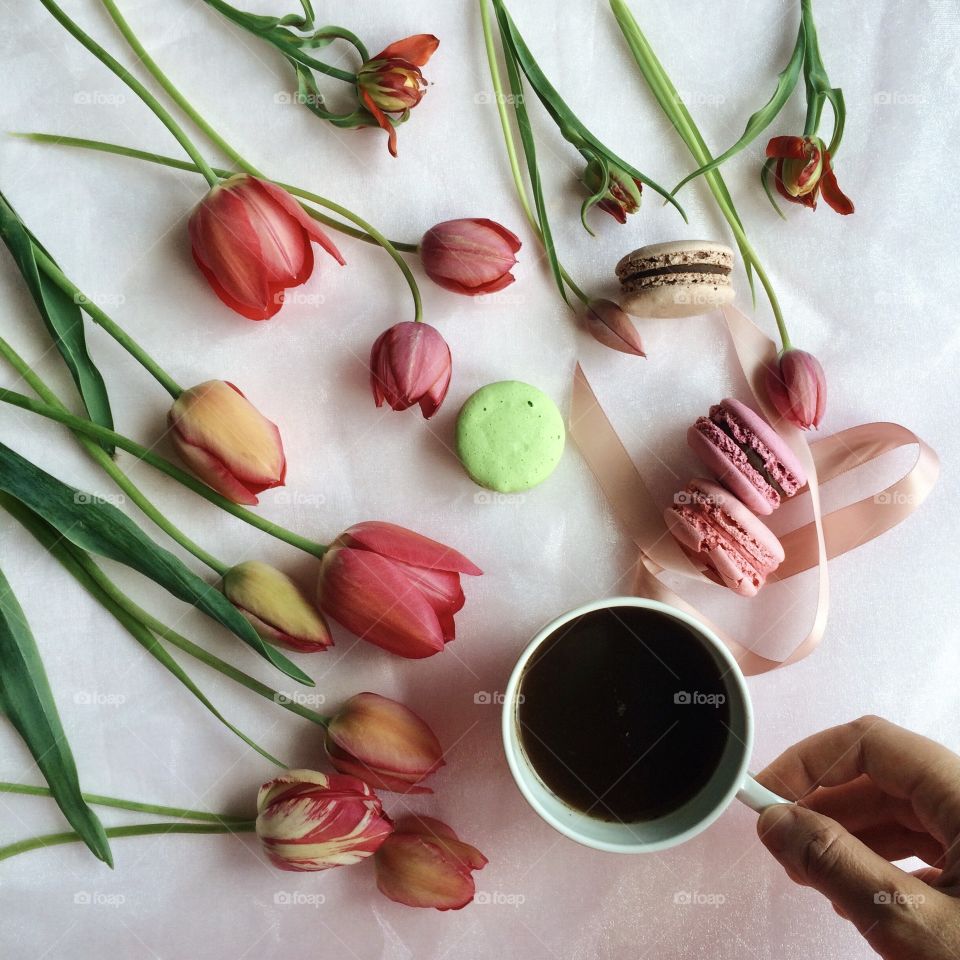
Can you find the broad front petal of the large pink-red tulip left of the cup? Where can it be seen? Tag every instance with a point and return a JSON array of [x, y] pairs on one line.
[[373, 598]]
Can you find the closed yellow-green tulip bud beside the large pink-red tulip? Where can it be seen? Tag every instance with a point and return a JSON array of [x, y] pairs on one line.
[[273, 603]]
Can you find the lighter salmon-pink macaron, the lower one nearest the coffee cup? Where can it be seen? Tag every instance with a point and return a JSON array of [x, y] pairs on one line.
[[715, 528]]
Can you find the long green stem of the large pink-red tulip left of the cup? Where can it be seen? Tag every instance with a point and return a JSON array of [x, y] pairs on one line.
[[87, 429]]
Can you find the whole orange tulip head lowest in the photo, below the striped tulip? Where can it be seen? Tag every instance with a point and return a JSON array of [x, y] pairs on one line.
[[424, 864]]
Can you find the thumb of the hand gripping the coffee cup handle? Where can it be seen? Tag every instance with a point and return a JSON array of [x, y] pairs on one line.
[[864, 887]]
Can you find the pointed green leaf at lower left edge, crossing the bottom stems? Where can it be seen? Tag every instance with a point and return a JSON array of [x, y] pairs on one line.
[[26, 698]]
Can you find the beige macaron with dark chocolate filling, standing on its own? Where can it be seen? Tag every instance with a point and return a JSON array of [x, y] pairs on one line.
[[681, 278]]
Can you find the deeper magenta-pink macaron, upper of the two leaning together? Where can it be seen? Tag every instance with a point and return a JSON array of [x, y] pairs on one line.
[[747, 456]]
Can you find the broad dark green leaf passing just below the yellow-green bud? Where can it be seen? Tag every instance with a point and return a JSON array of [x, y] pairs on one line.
[[100, 528]]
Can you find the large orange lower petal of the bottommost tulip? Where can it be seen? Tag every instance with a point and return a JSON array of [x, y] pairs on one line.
[[415, 871]]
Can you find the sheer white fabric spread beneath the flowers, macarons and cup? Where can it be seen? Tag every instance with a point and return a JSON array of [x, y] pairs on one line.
[[865, 293]]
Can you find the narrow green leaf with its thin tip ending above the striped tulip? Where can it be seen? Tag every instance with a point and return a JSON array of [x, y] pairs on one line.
[[81, 566]]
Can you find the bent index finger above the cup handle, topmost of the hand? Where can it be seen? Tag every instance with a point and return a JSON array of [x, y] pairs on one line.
[[901, 763]]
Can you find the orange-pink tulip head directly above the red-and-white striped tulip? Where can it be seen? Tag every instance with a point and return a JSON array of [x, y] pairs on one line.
[[383, 743]]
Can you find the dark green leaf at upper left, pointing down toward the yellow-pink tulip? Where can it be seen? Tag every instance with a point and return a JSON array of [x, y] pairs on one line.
[[61, 316]]
